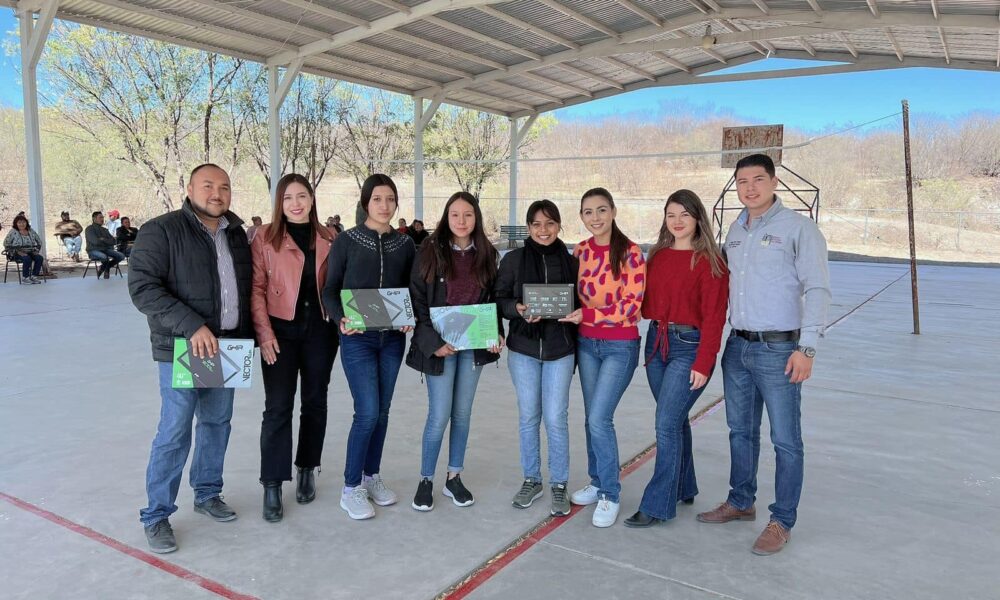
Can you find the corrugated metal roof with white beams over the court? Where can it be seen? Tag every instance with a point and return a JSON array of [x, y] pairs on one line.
[[529, 56]]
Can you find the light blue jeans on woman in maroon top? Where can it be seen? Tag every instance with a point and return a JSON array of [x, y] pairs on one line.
[[450, 397]]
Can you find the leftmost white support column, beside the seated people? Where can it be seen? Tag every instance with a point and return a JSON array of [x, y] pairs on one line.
[[33, 36]]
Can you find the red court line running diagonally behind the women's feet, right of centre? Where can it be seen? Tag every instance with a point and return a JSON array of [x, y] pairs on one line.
[[493, 566]]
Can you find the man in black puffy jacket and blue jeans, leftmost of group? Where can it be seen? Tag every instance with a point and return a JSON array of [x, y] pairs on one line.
[[190, 274]]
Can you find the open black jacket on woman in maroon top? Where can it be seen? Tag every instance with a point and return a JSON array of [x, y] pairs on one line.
[[426, 341]]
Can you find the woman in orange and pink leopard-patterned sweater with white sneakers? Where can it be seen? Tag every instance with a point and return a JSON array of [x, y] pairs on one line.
[[610, 285]]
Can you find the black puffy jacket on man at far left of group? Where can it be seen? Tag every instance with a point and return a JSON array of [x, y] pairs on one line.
[[174, 278]]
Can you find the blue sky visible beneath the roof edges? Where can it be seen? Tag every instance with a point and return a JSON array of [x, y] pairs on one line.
[[809, 103]]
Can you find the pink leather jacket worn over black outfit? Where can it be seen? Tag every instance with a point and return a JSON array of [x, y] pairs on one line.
[[276, 278]]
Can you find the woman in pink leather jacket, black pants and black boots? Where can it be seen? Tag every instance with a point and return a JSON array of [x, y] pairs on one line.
[[296, 340]]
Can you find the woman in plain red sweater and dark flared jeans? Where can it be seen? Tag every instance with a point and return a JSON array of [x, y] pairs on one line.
[[686, 297]]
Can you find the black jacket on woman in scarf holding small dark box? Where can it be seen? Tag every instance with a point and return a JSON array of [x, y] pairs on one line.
[[556, 339]]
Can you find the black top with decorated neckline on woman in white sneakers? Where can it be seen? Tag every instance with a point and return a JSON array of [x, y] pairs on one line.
[[362, 259]]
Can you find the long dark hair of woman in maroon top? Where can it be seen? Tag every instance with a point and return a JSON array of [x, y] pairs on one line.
[[435, 253]]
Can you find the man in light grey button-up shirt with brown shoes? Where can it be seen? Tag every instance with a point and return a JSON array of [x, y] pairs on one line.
[[779, 294]]
